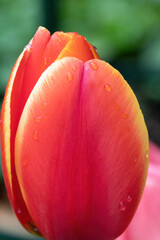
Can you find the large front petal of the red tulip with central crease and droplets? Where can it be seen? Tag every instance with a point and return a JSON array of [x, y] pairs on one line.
[[81, 151]]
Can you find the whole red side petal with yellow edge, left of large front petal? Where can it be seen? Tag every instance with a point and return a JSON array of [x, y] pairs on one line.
[[20, 85]]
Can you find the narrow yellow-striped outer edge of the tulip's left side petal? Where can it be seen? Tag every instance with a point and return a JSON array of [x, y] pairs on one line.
[[7, 146]]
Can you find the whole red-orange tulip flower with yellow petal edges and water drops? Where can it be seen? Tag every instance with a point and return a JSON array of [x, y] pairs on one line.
[[74, 141]]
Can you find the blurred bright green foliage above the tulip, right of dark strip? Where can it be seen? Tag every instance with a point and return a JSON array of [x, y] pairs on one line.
[[114, 26]]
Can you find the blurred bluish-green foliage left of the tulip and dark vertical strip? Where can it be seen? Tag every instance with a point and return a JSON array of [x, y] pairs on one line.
[[19, 20]]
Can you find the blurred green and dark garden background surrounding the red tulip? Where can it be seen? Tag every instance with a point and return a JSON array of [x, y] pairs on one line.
[[126, 34]]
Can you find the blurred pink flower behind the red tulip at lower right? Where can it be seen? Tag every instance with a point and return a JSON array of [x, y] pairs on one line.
[[146, 222]]
